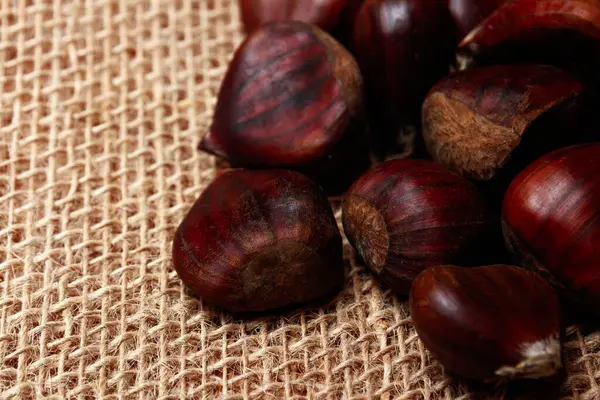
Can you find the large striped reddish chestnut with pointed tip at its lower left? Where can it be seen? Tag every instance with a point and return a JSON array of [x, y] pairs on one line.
[[292, 98]]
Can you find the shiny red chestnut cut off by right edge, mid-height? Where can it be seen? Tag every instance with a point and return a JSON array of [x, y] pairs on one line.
[[551, 215]]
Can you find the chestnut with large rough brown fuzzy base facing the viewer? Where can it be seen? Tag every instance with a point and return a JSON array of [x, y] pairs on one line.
[[487, 120]]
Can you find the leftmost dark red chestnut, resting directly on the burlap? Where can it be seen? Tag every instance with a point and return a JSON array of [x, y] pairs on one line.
[[259, 240]]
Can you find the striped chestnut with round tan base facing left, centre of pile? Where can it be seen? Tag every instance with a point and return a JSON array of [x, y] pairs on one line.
[[405, 215]]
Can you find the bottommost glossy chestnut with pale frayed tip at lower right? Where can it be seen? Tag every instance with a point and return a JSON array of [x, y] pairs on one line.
[[493, 323]]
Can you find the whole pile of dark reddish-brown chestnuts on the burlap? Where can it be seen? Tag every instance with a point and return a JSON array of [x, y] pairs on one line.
[[321, 99]]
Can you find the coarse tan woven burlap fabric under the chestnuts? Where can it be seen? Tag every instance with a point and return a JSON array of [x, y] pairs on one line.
[[102, 103]]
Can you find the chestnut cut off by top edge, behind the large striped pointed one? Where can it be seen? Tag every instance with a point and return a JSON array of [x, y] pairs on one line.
[[323, 13]]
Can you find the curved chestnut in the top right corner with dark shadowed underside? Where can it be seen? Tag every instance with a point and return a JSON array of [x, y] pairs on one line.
[[565, 33]]
